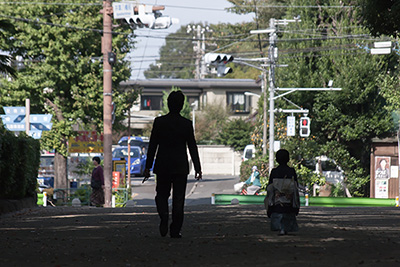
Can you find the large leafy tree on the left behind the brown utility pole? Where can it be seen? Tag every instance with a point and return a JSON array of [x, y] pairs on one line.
[[61, 48]]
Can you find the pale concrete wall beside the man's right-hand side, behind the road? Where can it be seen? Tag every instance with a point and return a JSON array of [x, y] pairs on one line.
[[218, 159]]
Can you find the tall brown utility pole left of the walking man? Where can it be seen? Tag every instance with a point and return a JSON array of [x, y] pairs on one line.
[[107, 99]]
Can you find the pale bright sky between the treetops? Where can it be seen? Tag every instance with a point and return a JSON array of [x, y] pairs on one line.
[[188, 11]]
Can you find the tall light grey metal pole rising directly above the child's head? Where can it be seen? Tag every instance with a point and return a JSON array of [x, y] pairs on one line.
[[272, 39]]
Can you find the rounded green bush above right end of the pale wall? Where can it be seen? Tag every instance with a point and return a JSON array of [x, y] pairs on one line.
[[236, 134]]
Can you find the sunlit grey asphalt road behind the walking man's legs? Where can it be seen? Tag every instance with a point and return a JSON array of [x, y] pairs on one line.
[[197, 192]]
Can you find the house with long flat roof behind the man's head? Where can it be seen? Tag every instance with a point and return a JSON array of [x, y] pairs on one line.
[[229, 92]]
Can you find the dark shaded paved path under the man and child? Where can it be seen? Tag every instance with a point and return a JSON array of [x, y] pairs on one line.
[[212, 236]]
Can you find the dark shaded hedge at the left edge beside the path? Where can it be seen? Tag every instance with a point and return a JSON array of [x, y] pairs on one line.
[[19, 165]]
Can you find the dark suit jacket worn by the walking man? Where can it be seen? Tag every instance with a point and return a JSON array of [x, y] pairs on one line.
[[169, 137]]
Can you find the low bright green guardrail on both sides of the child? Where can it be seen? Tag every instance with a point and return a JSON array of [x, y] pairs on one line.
[[226, 199]]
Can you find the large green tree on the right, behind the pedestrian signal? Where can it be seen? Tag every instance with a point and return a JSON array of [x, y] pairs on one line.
[[344, 122]]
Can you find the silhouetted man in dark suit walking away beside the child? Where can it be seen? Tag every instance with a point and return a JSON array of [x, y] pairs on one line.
[[170, 135]]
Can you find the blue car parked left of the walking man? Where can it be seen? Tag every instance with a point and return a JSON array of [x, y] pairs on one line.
[[138, 159]]
